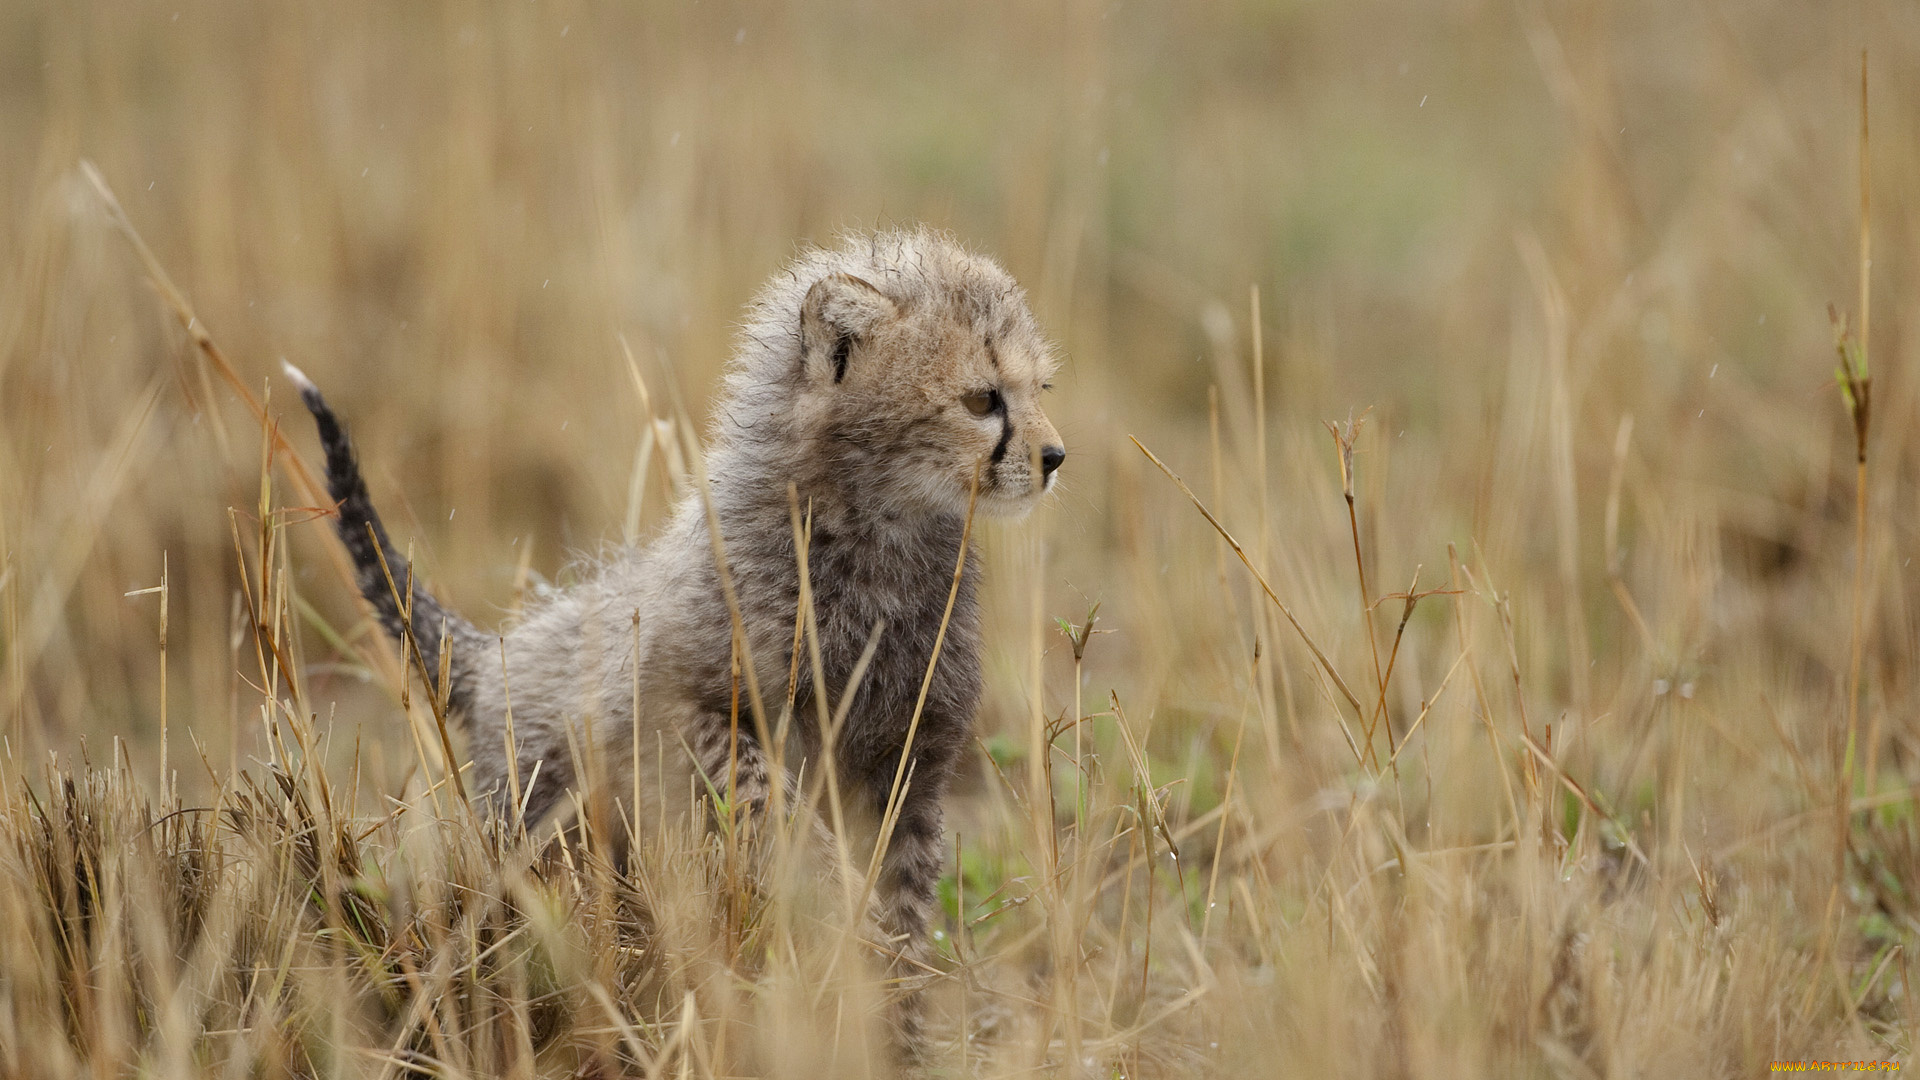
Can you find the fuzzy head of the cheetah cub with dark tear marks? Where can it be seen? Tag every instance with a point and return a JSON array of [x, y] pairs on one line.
[[919, 374]]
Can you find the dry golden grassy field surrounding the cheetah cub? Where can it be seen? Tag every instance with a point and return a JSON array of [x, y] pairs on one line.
[[1554, 714]]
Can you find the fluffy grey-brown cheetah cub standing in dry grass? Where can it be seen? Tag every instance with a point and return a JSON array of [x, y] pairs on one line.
[[892, 381]]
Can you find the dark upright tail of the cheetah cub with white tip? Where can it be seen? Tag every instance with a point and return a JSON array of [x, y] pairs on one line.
[[375, 558]]
